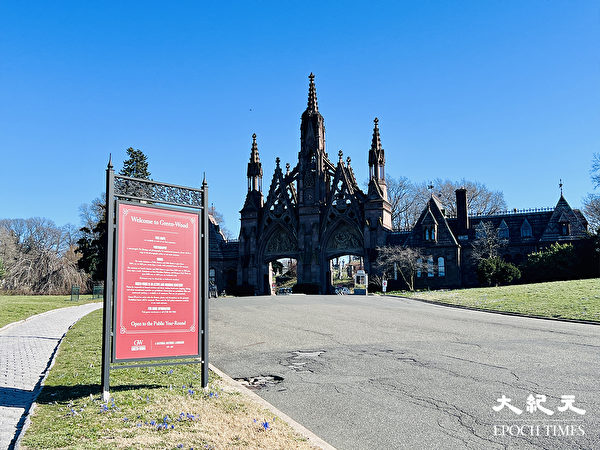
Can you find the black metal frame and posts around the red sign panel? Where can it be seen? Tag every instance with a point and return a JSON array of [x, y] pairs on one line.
[[121, 189]]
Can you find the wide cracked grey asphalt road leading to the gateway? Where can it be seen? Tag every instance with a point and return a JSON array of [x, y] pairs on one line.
[[383, 372]]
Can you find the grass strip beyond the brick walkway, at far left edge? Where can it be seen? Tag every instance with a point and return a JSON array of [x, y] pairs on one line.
[[18, 307]]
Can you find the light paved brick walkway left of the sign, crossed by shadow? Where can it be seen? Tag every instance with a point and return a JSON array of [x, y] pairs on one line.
[[26, 350]]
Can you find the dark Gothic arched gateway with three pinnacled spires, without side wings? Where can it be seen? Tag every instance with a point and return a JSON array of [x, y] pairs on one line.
[[313, 212]]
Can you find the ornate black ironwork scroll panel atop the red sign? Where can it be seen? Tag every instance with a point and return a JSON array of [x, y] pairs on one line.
[[151, 191]]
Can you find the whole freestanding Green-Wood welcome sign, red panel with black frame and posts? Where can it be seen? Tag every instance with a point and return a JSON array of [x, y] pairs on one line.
[[156, 286]]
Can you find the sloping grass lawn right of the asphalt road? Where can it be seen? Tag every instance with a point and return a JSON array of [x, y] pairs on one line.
[[576, 299]]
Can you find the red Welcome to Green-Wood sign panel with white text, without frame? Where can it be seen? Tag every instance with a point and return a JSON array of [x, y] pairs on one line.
[[157, 283]]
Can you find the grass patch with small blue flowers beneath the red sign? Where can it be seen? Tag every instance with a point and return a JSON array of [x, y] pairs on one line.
[[162, 407]]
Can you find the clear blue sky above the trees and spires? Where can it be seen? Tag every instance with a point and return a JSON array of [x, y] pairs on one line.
[[502, 92]]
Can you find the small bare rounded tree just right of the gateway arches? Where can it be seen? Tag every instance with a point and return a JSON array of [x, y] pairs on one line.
[[404, 260]]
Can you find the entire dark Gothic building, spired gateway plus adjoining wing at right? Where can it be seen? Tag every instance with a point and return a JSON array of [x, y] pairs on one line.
[[315, 212]]
